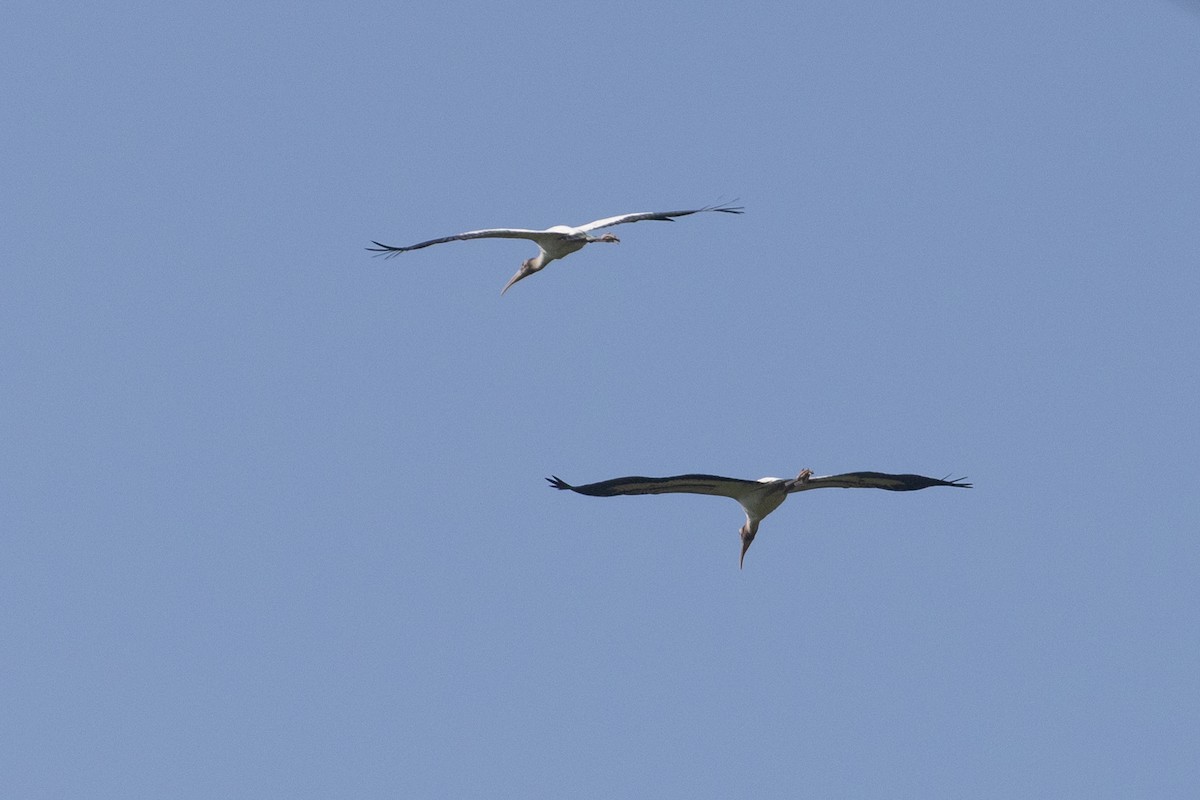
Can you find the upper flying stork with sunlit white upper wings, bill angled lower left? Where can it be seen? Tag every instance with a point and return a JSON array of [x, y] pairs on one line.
[[554, 243]]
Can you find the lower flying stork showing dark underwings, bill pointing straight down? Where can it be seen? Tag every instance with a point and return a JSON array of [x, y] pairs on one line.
[[758, 498]]
